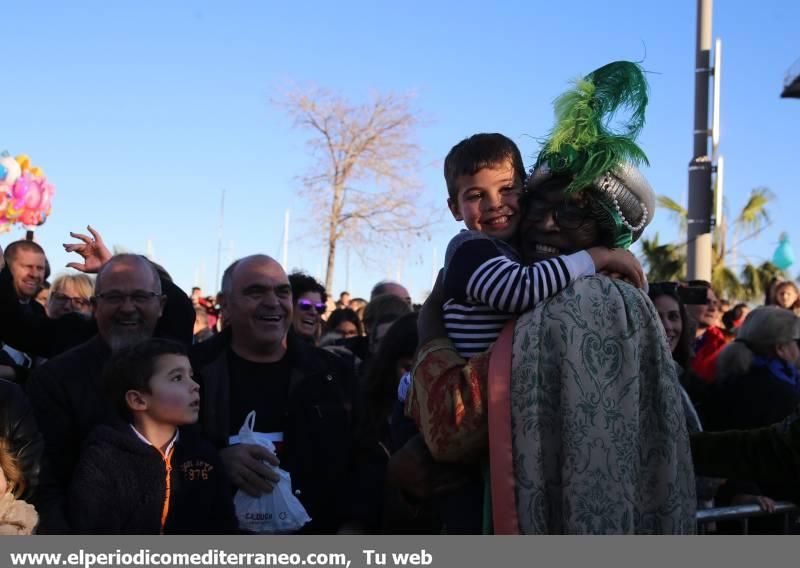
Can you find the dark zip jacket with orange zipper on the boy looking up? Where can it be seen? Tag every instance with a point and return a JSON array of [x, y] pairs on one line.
[[120, 486]]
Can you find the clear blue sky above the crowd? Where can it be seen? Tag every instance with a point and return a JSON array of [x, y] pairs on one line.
[[141, 113]]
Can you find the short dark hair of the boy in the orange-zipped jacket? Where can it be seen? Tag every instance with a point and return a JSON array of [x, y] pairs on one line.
[[132, 368]]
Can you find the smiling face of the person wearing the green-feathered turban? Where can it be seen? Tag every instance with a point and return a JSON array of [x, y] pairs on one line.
[[556, 224]]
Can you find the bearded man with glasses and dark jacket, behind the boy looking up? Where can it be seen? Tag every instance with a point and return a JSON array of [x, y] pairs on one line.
[[67, 392]]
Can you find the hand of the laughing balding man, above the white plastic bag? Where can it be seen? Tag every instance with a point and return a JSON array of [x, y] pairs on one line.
[[247, 470]]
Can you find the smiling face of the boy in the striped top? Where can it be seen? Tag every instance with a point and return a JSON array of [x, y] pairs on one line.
[[488, 201]]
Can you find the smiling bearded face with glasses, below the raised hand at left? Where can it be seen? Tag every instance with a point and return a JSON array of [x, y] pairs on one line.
[[127, 306]]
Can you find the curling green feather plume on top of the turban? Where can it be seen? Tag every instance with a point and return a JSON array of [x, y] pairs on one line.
[[583, 142]]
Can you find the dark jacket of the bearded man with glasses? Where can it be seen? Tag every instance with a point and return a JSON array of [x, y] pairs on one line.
[[68, 399]]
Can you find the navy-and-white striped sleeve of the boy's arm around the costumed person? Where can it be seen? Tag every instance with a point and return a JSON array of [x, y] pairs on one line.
[[479, 273]]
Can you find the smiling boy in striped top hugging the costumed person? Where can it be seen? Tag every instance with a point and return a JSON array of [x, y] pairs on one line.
[[484, 281]]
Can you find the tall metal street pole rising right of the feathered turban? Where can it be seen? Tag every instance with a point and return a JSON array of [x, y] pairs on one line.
[[701, 196]]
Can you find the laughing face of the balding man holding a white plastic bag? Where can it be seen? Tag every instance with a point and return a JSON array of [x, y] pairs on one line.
[[259, 305]]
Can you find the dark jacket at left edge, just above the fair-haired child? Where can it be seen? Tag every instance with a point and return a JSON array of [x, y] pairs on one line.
[[18, 427]]
